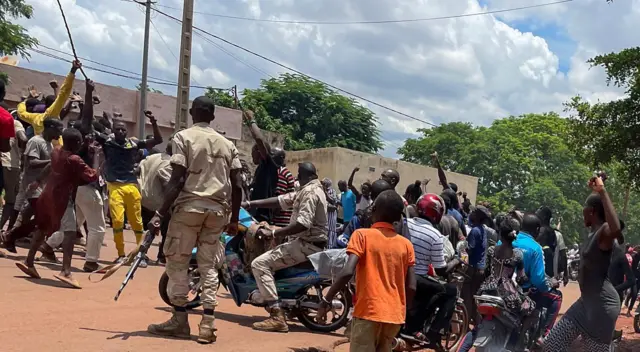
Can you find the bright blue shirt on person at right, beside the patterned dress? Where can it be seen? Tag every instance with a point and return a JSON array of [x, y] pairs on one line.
[[533, 261]]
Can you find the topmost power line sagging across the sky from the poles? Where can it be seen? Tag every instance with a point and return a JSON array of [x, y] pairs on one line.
[[375, 21]]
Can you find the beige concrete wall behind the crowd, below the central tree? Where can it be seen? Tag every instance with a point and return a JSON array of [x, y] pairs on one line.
[[337, 164]]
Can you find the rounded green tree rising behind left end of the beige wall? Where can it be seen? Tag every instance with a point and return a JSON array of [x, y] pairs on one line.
[[310, 115]]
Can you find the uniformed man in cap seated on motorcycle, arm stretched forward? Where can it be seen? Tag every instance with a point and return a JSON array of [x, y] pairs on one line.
[[308, 226]]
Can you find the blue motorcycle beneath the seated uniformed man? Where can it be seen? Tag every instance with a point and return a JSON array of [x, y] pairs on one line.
[[299, 288]]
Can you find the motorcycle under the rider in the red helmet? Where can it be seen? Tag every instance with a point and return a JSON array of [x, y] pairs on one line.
[[451, 338]]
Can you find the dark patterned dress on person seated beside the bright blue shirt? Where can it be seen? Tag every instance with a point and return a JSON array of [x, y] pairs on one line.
[[499, 281]]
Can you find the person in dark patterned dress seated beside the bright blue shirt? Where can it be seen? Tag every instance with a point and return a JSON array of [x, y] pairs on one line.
[[503, 261]]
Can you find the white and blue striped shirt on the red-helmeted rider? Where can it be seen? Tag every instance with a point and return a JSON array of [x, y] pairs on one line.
[[428, 245]]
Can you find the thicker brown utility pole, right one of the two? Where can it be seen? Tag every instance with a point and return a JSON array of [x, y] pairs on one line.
[[182, 102]]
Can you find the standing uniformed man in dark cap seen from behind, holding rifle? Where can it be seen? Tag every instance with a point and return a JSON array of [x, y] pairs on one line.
[[205, 192]]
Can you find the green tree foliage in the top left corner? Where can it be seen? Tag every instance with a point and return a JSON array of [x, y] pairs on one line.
[[14, 39]]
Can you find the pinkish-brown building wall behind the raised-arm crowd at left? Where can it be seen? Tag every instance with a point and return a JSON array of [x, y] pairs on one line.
[[118, 100]]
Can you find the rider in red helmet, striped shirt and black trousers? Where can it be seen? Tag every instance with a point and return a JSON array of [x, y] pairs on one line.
[[429, 246]]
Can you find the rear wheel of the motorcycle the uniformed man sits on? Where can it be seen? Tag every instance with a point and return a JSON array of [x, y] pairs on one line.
[[335, 319]]
